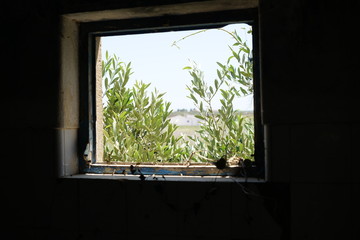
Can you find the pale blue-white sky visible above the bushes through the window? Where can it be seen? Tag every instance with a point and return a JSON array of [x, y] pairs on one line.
[[154, 59]]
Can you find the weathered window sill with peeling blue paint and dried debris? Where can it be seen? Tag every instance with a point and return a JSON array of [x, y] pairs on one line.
[[167, 172]]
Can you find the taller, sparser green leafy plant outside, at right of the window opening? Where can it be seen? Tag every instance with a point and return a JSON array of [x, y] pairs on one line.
[[224, 133]]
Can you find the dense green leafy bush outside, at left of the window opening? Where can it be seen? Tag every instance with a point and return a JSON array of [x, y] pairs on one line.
[[136, 126]]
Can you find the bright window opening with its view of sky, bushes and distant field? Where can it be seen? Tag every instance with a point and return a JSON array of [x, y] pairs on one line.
[[177, 98]]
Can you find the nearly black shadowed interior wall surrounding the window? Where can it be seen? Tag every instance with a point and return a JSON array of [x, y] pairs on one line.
[[308, 59]]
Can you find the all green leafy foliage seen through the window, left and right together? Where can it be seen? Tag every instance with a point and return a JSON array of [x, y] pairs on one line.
[[137, 126]]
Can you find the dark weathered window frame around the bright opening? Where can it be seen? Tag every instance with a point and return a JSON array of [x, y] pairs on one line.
[[90, 31]]
